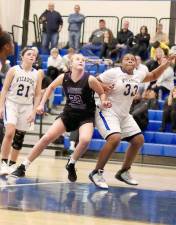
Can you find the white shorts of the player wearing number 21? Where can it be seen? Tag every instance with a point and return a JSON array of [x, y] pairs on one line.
[[17, 115]]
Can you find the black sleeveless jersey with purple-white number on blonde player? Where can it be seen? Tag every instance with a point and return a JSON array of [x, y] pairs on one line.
[[79, 96]]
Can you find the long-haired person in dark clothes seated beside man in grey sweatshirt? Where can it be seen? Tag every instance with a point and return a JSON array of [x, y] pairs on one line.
[[108, 44]]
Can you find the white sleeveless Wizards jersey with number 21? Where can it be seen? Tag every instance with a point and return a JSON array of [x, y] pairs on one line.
[[22, 88]]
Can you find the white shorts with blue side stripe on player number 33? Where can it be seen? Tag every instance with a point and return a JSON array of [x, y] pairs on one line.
[[108, 123]]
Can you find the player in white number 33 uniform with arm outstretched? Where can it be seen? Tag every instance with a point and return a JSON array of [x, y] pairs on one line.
[[116, 123]]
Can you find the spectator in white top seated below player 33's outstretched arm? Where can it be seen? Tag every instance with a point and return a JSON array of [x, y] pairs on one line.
[[165, 83]]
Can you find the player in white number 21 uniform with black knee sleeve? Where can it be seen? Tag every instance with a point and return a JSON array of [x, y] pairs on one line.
[[19, 98]]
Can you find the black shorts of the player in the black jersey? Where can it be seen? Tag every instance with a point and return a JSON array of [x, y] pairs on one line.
[[72, 121]]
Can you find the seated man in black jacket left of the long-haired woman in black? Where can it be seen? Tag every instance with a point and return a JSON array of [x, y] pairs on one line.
[[124, 41]]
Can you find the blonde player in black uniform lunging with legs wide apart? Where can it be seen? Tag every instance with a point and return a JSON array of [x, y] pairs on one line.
[[78, 112]]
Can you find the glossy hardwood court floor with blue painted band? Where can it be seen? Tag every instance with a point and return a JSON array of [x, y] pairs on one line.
[[46, 197]]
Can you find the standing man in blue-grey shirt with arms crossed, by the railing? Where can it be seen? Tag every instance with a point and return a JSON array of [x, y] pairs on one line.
[[75, 21]]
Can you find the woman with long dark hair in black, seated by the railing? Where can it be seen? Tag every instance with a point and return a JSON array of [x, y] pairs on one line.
[[141, 43]]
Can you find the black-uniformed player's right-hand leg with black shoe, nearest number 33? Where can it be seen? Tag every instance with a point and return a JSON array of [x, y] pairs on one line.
[[85, 135]]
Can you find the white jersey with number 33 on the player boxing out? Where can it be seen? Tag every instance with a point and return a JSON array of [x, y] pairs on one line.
[[125, 88]]
